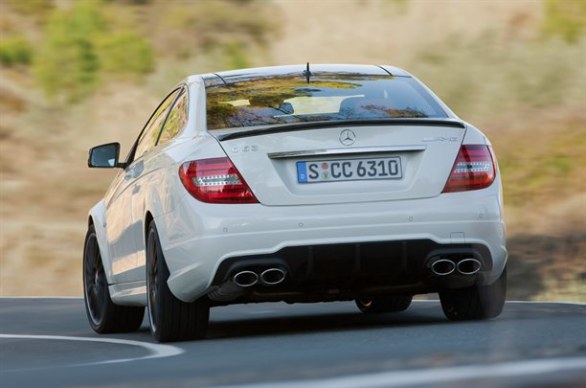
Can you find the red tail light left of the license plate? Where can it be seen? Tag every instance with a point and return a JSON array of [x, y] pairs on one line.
[[215, 181]]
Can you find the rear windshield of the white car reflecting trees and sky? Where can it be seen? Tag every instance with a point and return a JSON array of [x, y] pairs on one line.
[[292, 99]]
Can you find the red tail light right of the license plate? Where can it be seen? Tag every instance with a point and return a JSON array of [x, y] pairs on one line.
[[474, 169]]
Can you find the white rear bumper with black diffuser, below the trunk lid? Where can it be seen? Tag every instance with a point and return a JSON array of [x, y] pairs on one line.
[[350, 246]]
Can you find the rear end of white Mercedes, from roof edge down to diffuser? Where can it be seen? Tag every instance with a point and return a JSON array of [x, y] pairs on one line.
[[333, 183]]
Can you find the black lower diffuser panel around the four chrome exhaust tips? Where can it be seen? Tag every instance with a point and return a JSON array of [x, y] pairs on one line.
[[345, 271]]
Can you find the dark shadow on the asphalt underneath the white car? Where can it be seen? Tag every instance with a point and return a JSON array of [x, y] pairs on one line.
[[249, 322]]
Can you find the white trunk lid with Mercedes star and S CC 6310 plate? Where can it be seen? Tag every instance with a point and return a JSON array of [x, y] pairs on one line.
[[339, 163]]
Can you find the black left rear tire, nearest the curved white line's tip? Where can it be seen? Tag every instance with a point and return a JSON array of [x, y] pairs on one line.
[[170, 318]]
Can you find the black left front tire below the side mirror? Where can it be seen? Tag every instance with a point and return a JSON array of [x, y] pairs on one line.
[[103, 315]]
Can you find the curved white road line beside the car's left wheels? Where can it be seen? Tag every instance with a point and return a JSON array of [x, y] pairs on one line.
[[155, 350]]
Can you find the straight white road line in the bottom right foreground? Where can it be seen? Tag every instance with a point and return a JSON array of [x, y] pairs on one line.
[[438, 375]]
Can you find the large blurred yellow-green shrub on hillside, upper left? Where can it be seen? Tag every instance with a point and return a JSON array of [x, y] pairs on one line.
[[81, 45]]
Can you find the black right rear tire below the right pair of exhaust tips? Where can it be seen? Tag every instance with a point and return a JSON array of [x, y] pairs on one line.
[[475, 302]]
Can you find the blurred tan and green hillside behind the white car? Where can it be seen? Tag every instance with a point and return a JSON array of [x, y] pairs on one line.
[[517, 70]]
